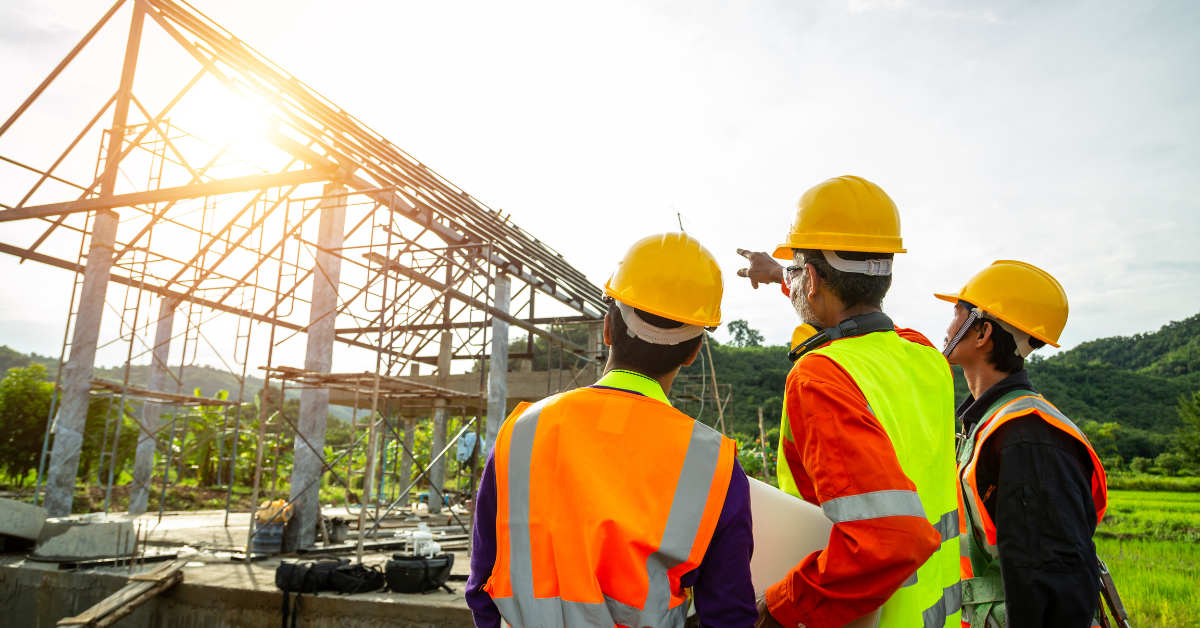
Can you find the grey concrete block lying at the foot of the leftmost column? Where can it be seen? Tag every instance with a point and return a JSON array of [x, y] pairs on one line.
[[86, 539]]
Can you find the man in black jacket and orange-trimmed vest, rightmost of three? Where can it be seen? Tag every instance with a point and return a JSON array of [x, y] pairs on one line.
[[1033, 486]]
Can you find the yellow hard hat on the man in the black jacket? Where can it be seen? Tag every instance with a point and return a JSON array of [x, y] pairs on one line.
[[1021, 295]]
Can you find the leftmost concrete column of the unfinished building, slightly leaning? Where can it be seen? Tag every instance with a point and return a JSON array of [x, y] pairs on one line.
[[69, 422]]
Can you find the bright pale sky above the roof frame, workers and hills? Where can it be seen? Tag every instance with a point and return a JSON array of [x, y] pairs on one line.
[[1061, 134]]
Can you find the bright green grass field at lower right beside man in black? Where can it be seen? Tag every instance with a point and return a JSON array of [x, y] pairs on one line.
[[1151, 543]]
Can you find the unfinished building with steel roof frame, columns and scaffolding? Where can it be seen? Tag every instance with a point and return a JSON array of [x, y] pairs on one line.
[[217, 208]]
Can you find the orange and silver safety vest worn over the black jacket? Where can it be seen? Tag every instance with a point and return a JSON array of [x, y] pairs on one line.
[[979, 554]]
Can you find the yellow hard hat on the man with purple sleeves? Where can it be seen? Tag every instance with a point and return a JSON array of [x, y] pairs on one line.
[[671, 276]]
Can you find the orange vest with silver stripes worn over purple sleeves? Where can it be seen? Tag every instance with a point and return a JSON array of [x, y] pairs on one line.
[[605, 499]]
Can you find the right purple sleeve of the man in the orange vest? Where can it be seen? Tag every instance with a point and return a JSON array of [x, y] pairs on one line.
[[724, 594]]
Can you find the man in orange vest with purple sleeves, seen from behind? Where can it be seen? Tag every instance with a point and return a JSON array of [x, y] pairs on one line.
[[599, 507]]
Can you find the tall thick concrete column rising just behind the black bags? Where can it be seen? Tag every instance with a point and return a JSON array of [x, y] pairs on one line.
[[302, 531]]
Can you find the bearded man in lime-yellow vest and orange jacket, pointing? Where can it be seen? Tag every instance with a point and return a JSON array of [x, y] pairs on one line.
[[868, 427]]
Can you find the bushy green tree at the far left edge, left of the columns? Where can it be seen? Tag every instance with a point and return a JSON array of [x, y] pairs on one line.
[[25, 405]]
